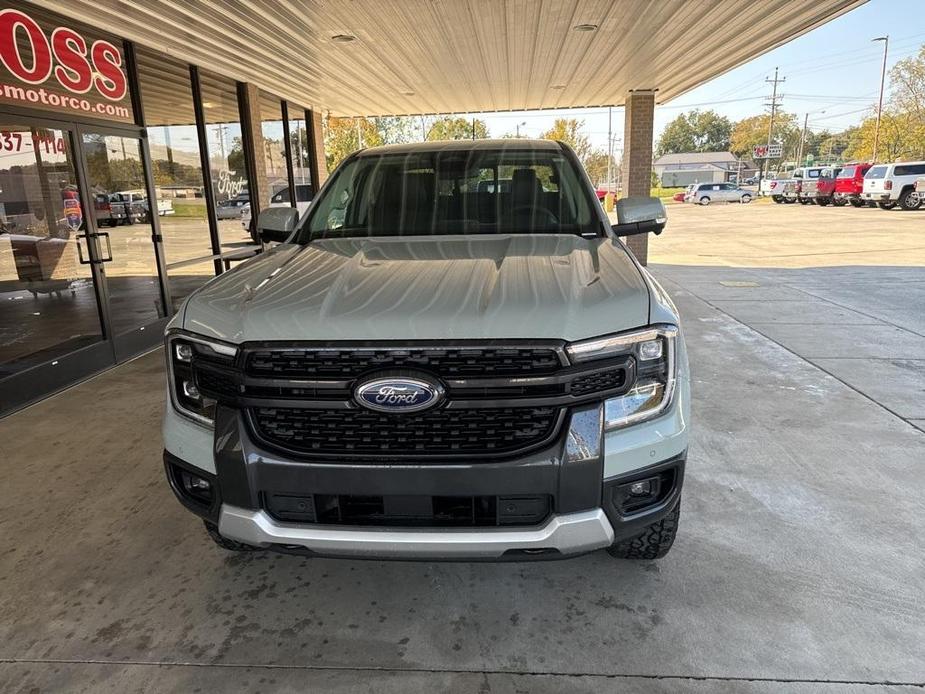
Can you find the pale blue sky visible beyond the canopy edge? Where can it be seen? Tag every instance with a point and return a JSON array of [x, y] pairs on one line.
[[832, 73]]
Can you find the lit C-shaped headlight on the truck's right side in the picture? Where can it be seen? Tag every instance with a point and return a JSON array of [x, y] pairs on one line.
[[654, 351]]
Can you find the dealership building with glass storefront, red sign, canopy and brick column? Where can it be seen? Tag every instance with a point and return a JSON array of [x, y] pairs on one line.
[[135, 140]]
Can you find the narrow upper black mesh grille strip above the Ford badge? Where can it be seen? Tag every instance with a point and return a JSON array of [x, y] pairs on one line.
[[454, 362]]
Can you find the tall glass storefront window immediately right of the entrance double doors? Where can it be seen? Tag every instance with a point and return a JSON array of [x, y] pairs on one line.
[[175, 157]]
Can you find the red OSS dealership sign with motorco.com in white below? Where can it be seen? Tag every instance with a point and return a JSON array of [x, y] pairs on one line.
[[60, 69]]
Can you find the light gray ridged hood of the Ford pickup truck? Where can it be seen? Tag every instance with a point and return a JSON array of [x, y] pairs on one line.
[[402, 288]]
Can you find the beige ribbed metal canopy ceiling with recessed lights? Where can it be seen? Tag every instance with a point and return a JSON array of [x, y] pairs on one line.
[[454, 56]]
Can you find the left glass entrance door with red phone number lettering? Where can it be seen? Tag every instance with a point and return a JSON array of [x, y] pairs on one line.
[[48, 303]]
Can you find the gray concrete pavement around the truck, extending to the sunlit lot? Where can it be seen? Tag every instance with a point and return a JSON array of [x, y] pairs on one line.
[[798, 566]]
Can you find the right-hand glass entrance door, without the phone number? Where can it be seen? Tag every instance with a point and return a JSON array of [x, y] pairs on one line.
[[122, 217]]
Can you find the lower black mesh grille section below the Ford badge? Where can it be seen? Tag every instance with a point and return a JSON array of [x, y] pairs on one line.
[[443, 432]]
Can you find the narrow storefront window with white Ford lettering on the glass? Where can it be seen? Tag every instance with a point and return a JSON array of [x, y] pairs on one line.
[[225, 144]]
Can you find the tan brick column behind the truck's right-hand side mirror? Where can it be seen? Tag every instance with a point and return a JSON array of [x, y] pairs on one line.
[[637, 157]]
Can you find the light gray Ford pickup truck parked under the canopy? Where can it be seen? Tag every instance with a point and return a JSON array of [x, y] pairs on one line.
[[452, 355]]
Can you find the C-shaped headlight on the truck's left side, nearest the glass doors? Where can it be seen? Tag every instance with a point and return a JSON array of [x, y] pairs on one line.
[[183, 351]]
